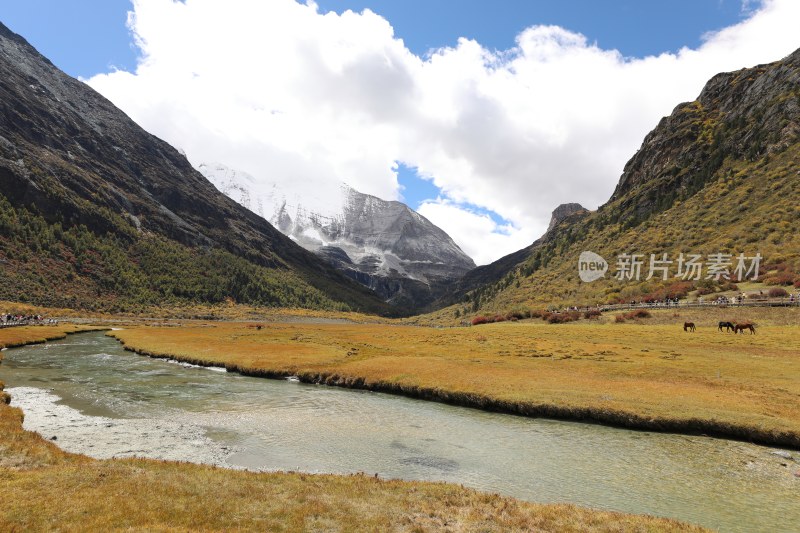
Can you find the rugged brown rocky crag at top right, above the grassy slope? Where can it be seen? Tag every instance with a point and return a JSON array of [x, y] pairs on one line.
[[743, 114]]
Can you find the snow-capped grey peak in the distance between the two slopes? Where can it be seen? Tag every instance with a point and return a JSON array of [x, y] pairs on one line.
[[382, 244]]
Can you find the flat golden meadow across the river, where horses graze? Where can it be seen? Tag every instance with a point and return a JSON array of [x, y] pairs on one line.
[[644, 375]]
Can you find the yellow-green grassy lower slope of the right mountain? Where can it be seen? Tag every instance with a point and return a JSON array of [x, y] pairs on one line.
[[745, 208]]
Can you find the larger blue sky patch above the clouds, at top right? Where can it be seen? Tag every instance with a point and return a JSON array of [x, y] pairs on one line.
[[634, 27]]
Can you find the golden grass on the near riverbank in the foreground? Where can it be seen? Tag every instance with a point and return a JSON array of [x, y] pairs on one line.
[[43, 488]]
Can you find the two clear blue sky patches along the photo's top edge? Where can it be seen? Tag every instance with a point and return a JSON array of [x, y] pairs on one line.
[[86, 37]]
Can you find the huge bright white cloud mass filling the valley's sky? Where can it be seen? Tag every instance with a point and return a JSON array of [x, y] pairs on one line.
[[307, 100]]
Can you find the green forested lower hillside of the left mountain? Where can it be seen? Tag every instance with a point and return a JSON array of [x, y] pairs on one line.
[[123, 270]]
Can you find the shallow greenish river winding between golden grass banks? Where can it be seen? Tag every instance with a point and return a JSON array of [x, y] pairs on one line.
[[98, 399]]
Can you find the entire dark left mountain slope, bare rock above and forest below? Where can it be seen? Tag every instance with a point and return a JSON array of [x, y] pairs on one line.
[[96, 212]]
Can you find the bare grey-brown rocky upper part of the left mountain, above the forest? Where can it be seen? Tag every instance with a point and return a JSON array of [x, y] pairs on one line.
[[71, 156]]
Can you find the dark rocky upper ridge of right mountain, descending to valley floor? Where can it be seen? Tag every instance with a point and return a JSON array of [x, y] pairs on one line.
[[739, 116]]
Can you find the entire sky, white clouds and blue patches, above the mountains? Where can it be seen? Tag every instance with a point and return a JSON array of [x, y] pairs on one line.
[[502, 128]]
